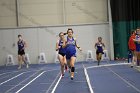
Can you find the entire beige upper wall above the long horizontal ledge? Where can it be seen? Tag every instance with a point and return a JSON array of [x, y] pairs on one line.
[[30, 13]]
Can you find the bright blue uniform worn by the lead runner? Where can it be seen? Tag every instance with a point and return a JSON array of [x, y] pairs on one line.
[[70, 48]]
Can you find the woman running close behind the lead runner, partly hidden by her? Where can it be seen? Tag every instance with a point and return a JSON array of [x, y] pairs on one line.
[[62, 52]]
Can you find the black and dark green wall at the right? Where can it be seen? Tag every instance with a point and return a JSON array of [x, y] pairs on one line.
[[125, 17]]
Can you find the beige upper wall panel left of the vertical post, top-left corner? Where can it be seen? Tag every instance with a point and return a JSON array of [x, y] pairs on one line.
[[7, 13]]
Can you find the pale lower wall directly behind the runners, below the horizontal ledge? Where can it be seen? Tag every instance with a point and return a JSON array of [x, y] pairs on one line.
[[43, 39]]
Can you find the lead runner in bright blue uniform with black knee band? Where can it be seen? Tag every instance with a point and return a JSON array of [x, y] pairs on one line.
[[71, 51]]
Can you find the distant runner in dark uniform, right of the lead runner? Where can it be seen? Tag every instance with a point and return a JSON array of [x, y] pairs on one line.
[[99, 46]]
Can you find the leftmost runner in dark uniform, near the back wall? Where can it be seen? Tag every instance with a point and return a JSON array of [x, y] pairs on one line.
[[21, 52]]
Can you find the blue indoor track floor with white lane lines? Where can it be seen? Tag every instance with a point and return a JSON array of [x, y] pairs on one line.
[[109, 77]]
